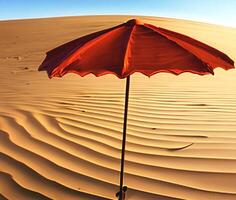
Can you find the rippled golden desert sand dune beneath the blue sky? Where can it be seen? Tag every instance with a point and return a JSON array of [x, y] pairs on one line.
[[61, 138]]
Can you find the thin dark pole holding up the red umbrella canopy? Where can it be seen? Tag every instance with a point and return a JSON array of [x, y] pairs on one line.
[[124, 137]]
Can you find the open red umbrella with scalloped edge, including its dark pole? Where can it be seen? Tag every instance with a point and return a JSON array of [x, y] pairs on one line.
[[133, 47]]
